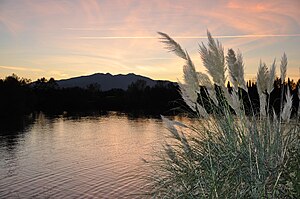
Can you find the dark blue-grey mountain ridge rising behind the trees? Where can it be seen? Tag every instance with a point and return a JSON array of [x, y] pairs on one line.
[[106, 81]]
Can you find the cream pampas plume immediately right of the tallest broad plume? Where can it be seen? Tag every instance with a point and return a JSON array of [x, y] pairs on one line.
[[236, 69]]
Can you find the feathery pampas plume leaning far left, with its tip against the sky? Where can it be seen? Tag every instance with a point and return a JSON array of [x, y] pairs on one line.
[[172, 45]]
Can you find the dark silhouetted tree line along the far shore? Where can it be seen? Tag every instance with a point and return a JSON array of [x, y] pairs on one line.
[[19, 96]]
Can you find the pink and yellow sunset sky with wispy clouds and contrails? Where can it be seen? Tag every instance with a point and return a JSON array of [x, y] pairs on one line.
[[67, 38]]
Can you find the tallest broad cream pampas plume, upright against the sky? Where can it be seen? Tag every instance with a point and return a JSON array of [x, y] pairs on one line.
[[213, 60]]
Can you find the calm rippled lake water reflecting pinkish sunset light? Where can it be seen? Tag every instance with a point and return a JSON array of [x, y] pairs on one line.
[[85, 157]]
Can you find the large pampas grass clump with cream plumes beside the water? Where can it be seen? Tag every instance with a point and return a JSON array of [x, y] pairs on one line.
[[228, 153]]
